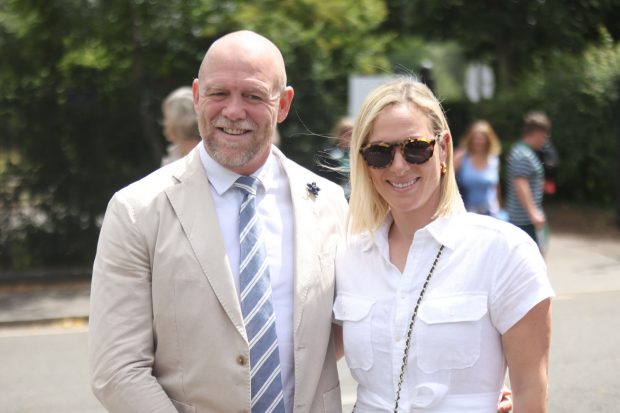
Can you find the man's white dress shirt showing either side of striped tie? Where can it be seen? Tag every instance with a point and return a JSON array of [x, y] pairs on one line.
[[275, 210]]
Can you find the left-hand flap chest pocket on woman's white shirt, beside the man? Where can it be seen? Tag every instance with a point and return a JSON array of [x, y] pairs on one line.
[[356, 316]]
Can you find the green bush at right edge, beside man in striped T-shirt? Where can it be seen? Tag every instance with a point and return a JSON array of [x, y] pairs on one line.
[[583, 107]]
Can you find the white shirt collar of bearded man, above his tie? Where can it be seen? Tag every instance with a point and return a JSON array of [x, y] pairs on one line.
[[223, 179]]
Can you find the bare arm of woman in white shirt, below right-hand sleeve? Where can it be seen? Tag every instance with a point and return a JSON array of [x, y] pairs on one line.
[[526, 346]]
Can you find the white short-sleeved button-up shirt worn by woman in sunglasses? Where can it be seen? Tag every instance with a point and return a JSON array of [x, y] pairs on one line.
[[489, 276]]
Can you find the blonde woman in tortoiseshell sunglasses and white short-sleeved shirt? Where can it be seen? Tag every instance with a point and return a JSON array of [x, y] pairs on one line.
[[435, 303]]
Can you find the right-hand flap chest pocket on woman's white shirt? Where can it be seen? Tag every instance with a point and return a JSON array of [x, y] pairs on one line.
[[449, 333]]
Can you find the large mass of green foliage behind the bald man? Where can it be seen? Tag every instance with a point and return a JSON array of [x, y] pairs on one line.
[[81, 84]]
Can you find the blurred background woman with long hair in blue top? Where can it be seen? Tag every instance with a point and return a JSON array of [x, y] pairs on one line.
[[477, 165]]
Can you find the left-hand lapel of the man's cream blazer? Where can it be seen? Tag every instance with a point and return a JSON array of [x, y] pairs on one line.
[[193, 204]]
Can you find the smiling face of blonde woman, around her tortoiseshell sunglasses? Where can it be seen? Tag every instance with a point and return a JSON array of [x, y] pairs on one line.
[[407, 188]]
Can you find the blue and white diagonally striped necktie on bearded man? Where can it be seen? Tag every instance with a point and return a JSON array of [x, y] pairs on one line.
[[256, 306]]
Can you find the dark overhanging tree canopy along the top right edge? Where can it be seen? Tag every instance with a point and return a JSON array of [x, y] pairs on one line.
[[511, 35]]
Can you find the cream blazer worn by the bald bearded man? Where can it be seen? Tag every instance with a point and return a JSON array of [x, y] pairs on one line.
[[166, 332]]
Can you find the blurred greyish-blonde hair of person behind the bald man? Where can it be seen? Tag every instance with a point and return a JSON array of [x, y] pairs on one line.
[[179, 114]]
